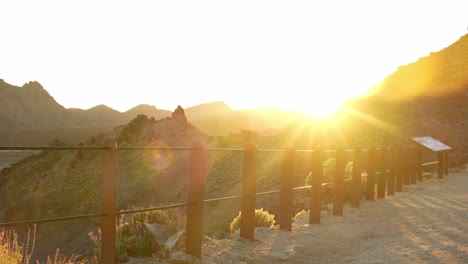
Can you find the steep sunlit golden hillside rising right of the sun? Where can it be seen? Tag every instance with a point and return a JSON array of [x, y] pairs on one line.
[[428, 97]]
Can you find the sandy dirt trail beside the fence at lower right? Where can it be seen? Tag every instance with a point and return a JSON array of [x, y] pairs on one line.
[[427, 223]]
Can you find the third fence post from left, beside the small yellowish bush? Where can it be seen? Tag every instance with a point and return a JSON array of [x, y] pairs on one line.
[[249, 188]]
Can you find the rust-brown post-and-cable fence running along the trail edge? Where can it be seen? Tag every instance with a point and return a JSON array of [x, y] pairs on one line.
[[389, 168]]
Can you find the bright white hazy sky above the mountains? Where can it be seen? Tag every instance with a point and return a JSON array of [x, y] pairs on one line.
[[248, 54]]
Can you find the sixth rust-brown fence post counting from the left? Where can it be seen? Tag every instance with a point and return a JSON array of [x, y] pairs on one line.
[[338, 190]]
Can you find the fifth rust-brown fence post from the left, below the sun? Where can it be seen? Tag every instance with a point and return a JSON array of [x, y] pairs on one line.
[[316, 188]]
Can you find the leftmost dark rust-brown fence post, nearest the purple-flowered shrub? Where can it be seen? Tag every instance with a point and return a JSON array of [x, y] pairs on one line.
[[109, 170]]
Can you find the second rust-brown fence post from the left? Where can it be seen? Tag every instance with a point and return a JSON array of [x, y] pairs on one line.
[[196, 186]]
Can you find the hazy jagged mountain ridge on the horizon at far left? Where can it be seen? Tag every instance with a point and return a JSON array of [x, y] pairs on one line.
[[31, 108]]
